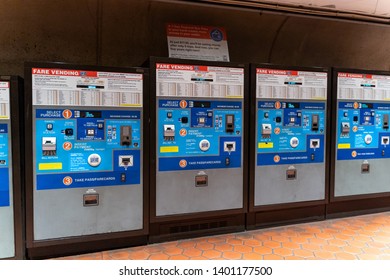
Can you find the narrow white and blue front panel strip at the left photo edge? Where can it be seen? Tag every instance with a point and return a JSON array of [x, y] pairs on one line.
[[5, 147]]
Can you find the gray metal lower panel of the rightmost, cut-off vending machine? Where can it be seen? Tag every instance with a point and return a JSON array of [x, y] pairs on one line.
[[350, 181]]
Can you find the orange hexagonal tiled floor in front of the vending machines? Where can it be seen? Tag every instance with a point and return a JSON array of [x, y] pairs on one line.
[[364, 238]]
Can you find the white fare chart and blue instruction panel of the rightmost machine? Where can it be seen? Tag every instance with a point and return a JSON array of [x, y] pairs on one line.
[[363, 112]]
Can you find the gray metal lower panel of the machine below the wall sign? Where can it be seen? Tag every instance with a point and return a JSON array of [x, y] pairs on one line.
[[177, 194]]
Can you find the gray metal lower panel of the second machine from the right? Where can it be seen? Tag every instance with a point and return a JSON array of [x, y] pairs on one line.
[[271, 186]]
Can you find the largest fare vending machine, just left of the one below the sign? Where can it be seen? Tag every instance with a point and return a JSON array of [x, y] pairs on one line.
[[85, 151]]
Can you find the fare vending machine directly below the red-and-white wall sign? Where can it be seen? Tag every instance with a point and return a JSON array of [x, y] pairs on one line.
[[198, 159]]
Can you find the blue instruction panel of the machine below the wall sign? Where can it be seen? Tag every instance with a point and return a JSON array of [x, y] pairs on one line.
[[195, 134]]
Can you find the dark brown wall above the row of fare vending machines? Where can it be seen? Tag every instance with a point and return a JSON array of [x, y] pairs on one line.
[[127, 32]]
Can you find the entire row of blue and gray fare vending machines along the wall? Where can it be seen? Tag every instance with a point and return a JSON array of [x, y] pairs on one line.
[[95, 158]]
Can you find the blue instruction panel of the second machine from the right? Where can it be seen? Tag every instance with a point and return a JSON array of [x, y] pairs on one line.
[[290, 132]]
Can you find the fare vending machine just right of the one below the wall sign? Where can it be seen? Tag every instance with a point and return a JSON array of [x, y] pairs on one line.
[[289, 144]]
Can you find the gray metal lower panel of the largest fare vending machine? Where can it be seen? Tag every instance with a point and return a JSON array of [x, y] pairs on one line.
[[60, 213]]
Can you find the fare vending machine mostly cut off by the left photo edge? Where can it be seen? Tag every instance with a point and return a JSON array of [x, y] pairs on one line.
[[11, 176]]
